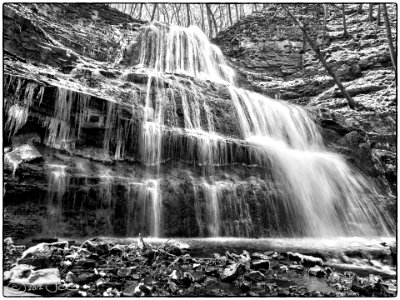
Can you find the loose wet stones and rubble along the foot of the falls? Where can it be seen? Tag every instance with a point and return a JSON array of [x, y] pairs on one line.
[[141, 269]]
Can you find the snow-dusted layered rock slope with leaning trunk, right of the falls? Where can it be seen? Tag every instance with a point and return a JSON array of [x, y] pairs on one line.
[[270, 53]]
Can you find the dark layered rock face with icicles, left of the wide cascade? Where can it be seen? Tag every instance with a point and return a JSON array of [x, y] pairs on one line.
[[68, 92]]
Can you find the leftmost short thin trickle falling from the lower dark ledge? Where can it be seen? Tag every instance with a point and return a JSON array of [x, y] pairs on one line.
[[57, 187]]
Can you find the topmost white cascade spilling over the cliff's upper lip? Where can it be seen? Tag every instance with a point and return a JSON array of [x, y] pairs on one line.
[[174, 49]]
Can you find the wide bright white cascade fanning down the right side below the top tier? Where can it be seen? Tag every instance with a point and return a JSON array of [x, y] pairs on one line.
[[324, 197]]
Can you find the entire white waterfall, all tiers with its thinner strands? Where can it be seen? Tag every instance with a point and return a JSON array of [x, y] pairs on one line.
[[316, 192]]
